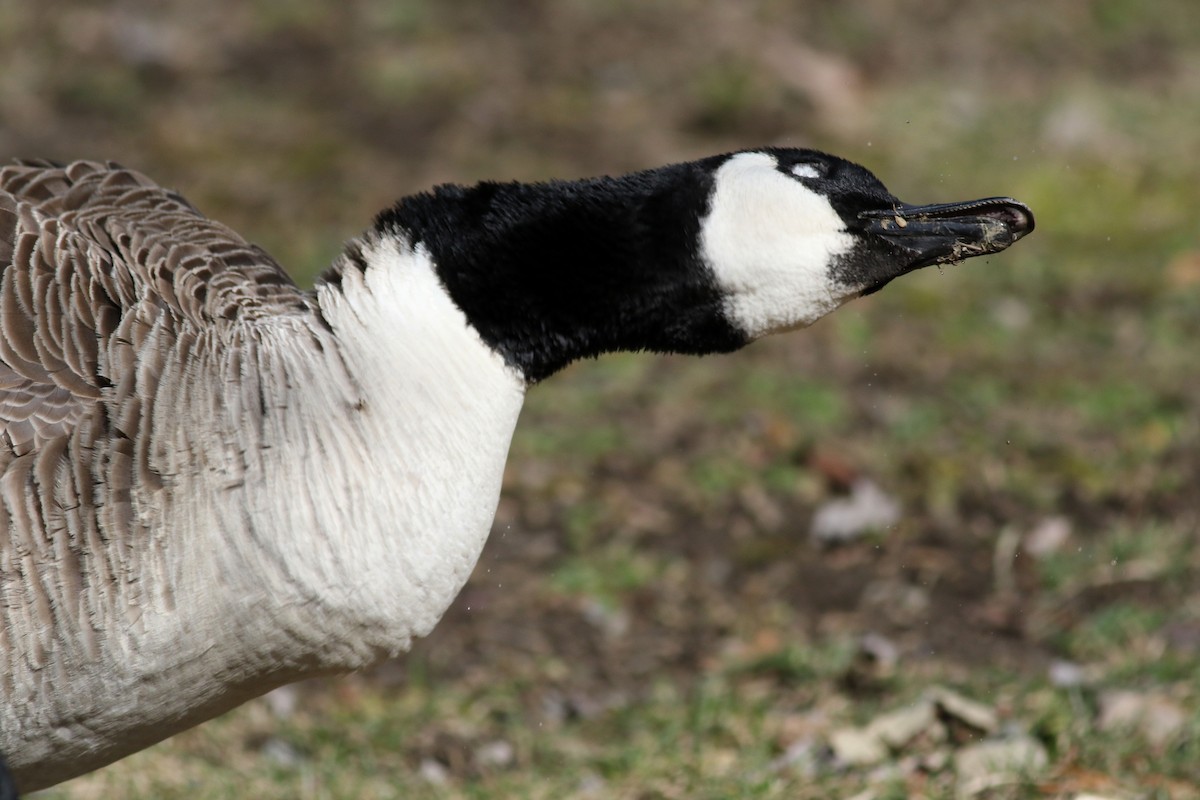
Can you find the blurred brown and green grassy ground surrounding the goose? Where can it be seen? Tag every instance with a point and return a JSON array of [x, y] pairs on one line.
[[651, 618]]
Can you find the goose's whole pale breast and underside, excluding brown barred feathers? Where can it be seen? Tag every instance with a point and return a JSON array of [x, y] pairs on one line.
[[319, 536]]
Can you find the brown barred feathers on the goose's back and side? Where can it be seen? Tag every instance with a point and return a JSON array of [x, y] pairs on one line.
[[122, 311]]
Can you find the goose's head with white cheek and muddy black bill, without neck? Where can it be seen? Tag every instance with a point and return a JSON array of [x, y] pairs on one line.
[[793, 234]]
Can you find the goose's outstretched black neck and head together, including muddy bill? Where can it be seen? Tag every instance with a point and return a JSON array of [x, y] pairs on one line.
[[698, 257]]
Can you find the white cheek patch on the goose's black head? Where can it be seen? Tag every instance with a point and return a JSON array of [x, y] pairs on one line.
[[772, 242]]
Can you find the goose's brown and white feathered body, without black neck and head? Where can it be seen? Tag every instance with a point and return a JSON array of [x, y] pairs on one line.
[[213, 484]]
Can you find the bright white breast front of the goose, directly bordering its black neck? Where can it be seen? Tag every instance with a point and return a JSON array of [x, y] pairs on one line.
[[446, 407]]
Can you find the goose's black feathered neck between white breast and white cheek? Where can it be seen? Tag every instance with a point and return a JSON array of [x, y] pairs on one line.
[[553, 273]]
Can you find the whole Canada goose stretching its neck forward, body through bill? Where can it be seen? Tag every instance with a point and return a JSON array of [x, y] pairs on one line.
[[217, 484]]
